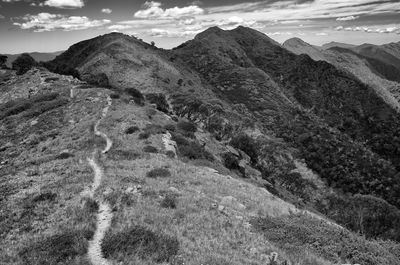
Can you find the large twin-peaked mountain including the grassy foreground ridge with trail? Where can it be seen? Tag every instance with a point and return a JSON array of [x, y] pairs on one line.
[[224, 150]]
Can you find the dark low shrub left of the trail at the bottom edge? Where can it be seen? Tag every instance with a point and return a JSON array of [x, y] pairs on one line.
[[56, 249]]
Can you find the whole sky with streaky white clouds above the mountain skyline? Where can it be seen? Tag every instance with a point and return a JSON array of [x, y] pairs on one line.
[[54, 25]]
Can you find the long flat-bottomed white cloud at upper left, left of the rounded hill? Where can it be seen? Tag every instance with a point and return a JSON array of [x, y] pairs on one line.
[[50, 22]]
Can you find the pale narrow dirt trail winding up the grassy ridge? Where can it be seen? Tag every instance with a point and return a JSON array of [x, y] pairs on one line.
[[104, 214]]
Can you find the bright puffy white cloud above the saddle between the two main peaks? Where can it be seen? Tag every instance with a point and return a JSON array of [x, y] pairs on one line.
[[153, 10]]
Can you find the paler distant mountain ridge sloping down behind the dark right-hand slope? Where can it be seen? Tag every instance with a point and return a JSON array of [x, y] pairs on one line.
[[365, 69]]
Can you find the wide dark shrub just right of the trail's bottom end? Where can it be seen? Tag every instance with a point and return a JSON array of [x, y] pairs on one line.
[[142, 242]]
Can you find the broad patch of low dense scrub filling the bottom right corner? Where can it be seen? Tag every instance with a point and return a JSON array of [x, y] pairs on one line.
[[300, 234]]
